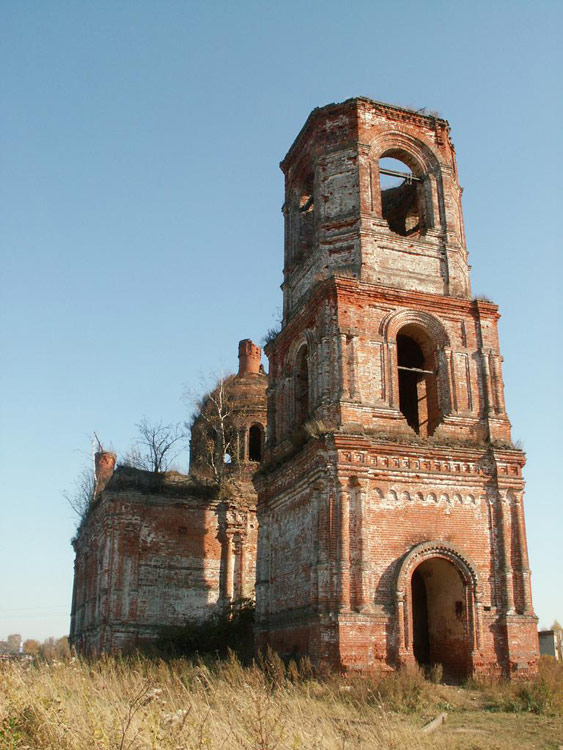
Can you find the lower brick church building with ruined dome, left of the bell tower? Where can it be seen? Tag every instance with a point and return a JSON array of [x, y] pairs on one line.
[[162, 549]]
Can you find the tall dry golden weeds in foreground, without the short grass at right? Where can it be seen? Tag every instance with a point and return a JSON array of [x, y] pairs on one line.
[[137, 704]]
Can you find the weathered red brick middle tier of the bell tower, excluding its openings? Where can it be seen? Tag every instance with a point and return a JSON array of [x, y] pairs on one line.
[[350, 329]]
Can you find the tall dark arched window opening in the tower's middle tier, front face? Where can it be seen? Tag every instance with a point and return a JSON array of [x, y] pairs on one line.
[[418, 388]]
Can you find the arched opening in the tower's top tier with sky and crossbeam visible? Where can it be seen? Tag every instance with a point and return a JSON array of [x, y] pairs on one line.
[[402, 197]]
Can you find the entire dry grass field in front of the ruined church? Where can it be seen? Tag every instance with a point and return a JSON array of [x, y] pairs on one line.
[[134, 704]]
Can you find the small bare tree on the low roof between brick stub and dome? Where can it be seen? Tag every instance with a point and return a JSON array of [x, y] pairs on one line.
[[156, 446]]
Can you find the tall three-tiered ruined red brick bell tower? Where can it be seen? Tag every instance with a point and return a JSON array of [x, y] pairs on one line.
[[391, 527]]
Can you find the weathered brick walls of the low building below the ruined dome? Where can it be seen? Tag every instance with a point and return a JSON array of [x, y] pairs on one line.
[[148, 558]]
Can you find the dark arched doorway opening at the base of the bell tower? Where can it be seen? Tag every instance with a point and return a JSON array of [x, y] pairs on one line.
[[440, 618]]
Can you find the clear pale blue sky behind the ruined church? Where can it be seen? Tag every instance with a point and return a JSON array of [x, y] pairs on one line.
[[141, 233]]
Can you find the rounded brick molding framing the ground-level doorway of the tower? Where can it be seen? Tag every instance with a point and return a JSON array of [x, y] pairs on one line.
[[403, 598]]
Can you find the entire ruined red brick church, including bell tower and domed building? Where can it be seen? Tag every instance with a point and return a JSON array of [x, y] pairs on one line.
[[375, 497]]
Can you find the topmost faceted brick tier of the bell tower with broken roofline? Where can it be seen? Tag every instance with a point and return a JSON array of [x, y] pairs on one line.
[[345, 216]]
